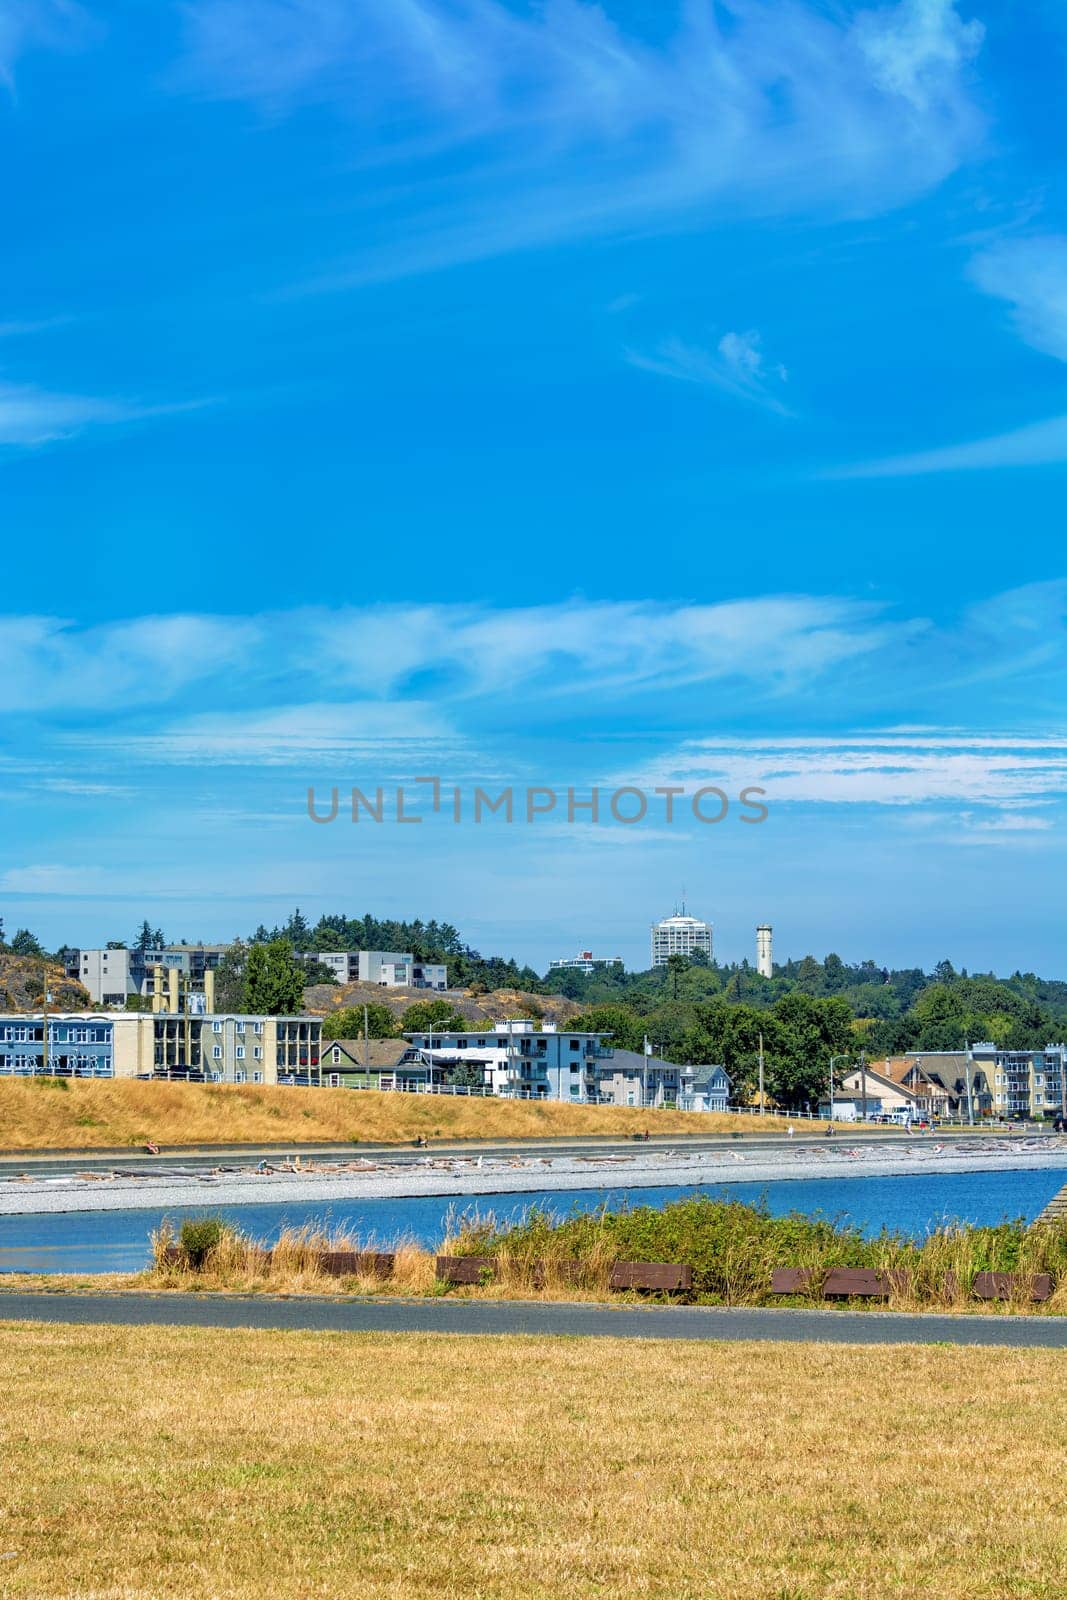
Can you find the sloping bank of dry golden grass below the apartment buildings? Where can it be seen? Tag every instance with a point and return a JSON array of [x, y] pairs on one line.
[[86, 1114]]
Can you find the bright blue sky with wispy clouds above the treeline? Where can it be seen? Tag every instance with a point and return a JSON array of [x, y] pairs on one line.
[[537, 394]]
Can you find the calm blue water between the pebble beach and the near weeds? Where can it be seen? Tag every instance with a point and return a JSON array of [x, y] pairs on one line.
[[119, 1241]]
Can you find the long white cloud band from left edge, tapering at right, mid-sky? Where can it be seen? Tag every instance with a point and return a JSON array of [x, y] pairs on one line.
[[454, 652]]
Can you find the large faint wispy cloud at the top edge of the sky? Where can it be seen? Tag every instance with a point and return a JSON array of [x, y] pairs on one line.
[[575, 127]]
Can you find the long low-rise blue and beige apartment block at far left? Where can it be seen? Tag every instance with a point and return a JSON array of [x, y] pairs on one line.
[[143, 1046]]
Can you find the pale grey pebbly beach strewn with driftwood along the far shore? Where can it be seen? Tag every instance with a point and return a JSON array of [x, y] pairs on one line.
[[471, 1177]]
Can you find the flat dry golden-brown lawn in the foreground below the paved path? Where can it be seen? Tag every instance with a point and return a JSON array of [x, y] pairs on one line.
[[190, 1463]]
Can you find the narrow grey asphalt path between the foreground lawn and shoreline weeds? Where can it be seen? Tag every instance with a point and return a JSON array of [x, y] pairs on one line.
[[538, 1319]]
